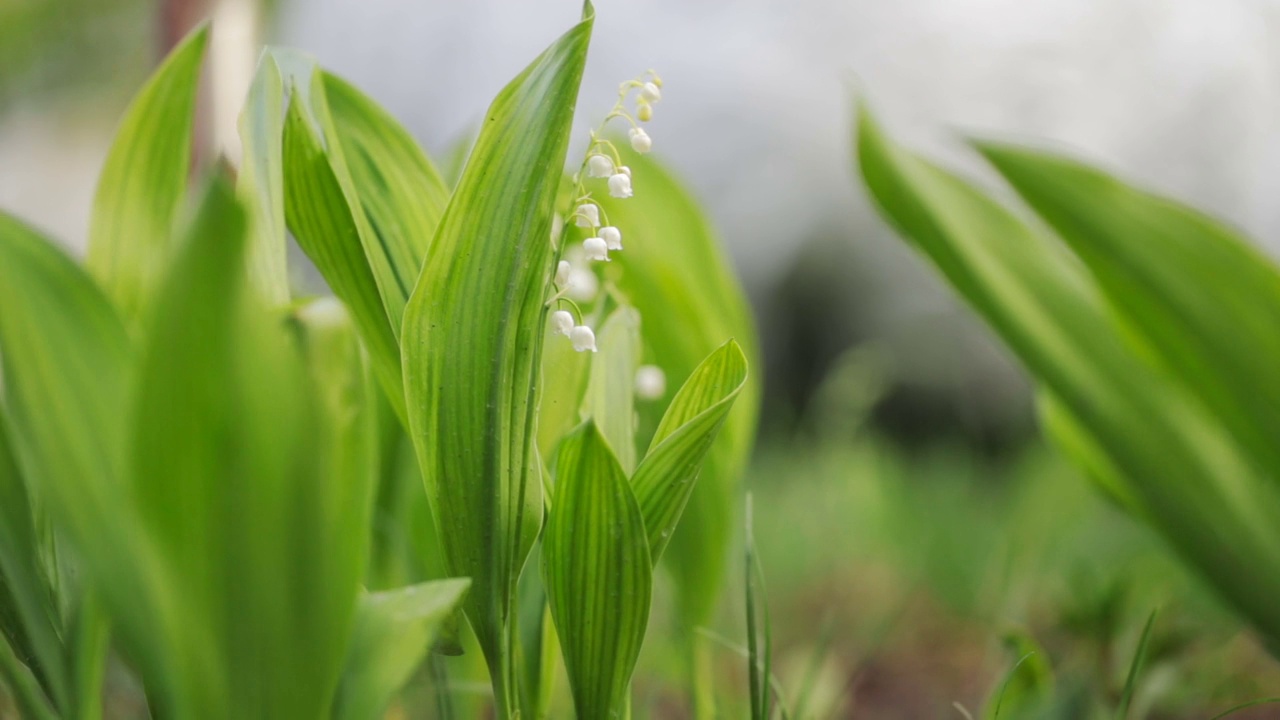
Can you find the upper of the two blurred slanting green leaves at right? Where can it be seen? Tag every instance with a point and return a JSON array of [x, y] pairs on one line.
[[1205, 300]]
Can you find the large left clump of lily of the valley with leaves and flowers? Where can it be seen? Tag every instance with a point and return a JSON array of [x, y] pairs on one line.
[[266, 505]]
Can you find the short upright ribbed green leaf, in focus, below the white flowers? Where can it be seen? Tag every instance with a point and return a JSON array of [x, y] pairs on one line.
[[596, 563]]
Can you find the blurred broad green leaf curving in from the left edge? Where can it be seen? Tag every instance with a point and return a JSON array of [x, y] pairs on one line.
[[67, 366]]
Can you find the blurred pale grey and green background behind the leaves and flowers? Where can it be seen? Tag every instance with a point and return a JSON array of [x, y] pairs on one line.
[[909, 518]]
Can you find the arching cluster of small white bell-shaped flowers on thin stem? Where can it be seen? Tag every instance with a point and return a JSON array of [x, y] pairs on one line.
[[602, 163]]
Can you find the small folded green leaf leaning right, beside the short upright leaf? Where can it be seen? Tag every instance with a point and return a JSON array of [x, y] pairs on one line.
[[668, 476]]
